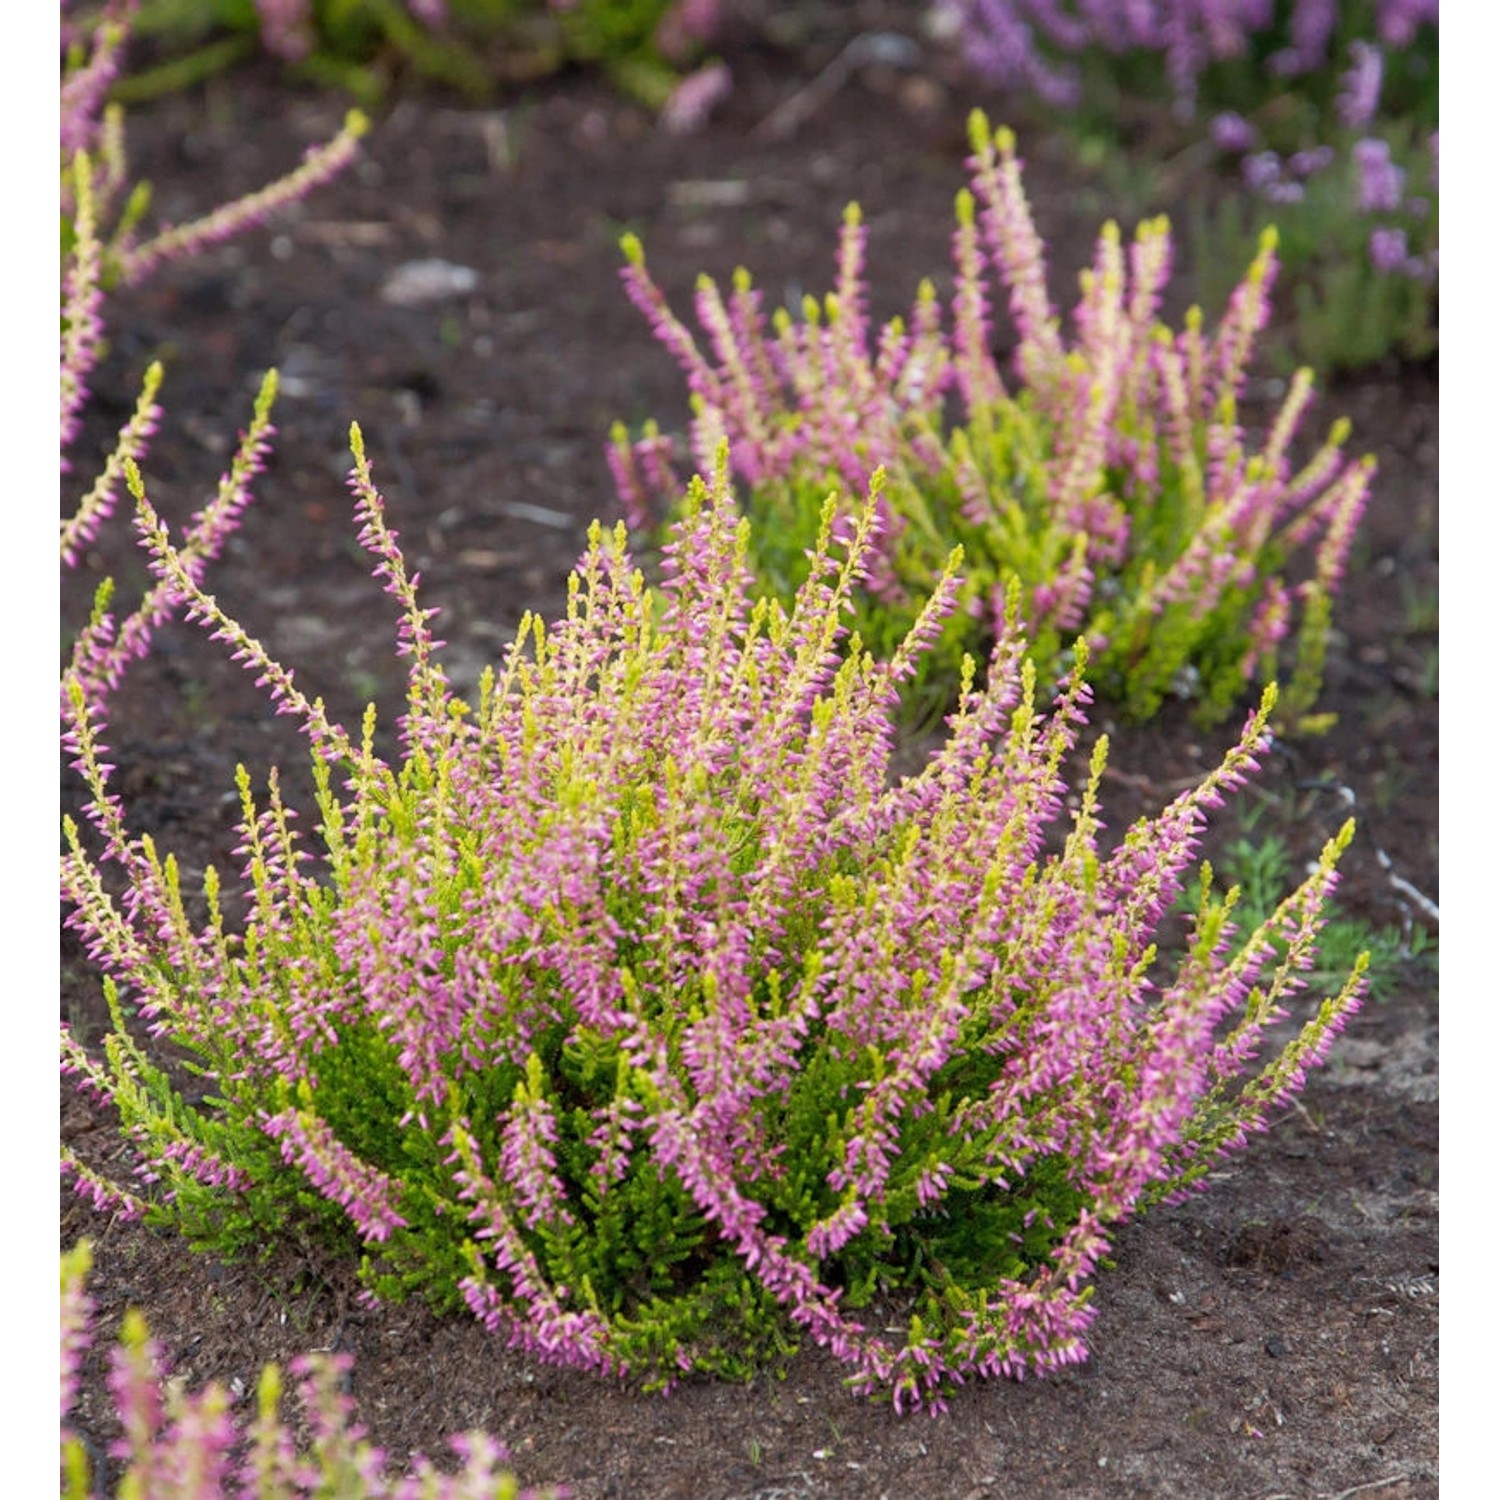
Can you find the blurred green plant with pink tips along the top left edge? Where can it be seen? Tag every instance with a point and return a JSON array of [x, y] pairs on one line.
[[472, 46]]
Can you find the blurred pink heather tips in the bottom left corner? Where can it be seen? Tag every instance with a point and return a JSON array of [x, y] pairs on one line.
[[191, 1447]]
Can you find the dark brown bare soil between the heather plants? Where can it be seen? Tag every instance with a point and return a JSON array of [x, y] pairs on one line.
[[1274, 1337]]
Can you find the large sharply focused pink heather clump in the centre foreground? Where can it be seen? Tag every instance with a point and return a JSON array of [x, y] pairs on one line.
[[638, 1007]]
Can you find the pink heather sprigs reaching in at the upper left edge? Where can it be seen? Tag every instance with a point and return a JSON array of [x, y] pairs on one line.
[[103, 245]]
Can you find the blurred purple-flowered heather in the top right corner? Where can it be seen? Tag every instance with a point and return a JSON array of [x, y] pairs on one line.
[[1315, 115]]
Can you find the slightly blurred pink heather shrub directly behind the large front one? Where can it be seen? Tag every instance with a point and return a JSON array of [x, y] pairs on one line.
[[1114, 479]]
